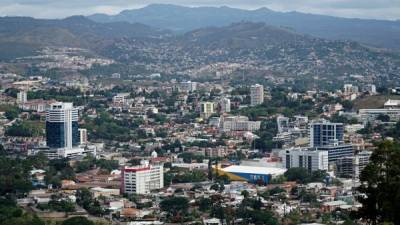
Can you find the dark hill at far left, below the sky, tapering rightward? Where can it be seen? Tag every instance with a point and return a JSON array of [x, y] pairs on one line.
[[28, 34]]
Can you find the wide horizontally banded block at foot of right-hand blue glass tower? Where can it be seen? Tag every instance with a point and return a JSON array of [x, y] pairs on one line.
[[337, 151]]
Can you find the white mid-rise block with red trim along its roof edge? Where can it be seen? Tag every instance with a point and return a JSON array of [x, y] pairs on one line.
[[142, 179]]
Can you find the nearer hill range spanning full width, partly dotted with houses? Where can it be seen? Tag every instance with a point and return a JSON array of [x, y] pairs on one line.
[[251, 45]]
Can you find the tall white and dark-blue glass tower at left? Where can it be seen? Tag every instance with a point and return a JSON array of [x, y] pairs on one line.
[[62, 126]]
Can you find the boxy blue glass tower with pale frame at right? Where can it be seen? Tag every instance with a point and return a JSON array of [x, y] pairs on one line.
[[324, 133]]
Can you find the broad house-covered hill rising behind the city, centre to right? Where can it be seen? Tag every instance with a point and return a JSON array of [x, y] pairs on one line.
[[257, 45]]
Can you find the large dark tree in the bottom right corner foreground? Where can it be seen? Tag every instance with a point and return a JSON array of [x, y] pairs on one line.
[[380, 186]]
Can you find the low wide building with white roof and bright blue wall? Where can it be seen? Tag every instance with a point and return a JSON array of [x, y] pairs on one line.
[[250, 174]]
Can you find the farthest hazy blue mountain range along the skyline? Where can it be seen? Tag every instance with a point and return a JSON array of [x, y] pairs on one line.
[[377, 33]]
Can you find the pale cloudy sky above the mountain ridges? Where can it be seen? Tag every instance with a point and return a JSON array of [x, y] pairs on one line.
[[376, 9]]
